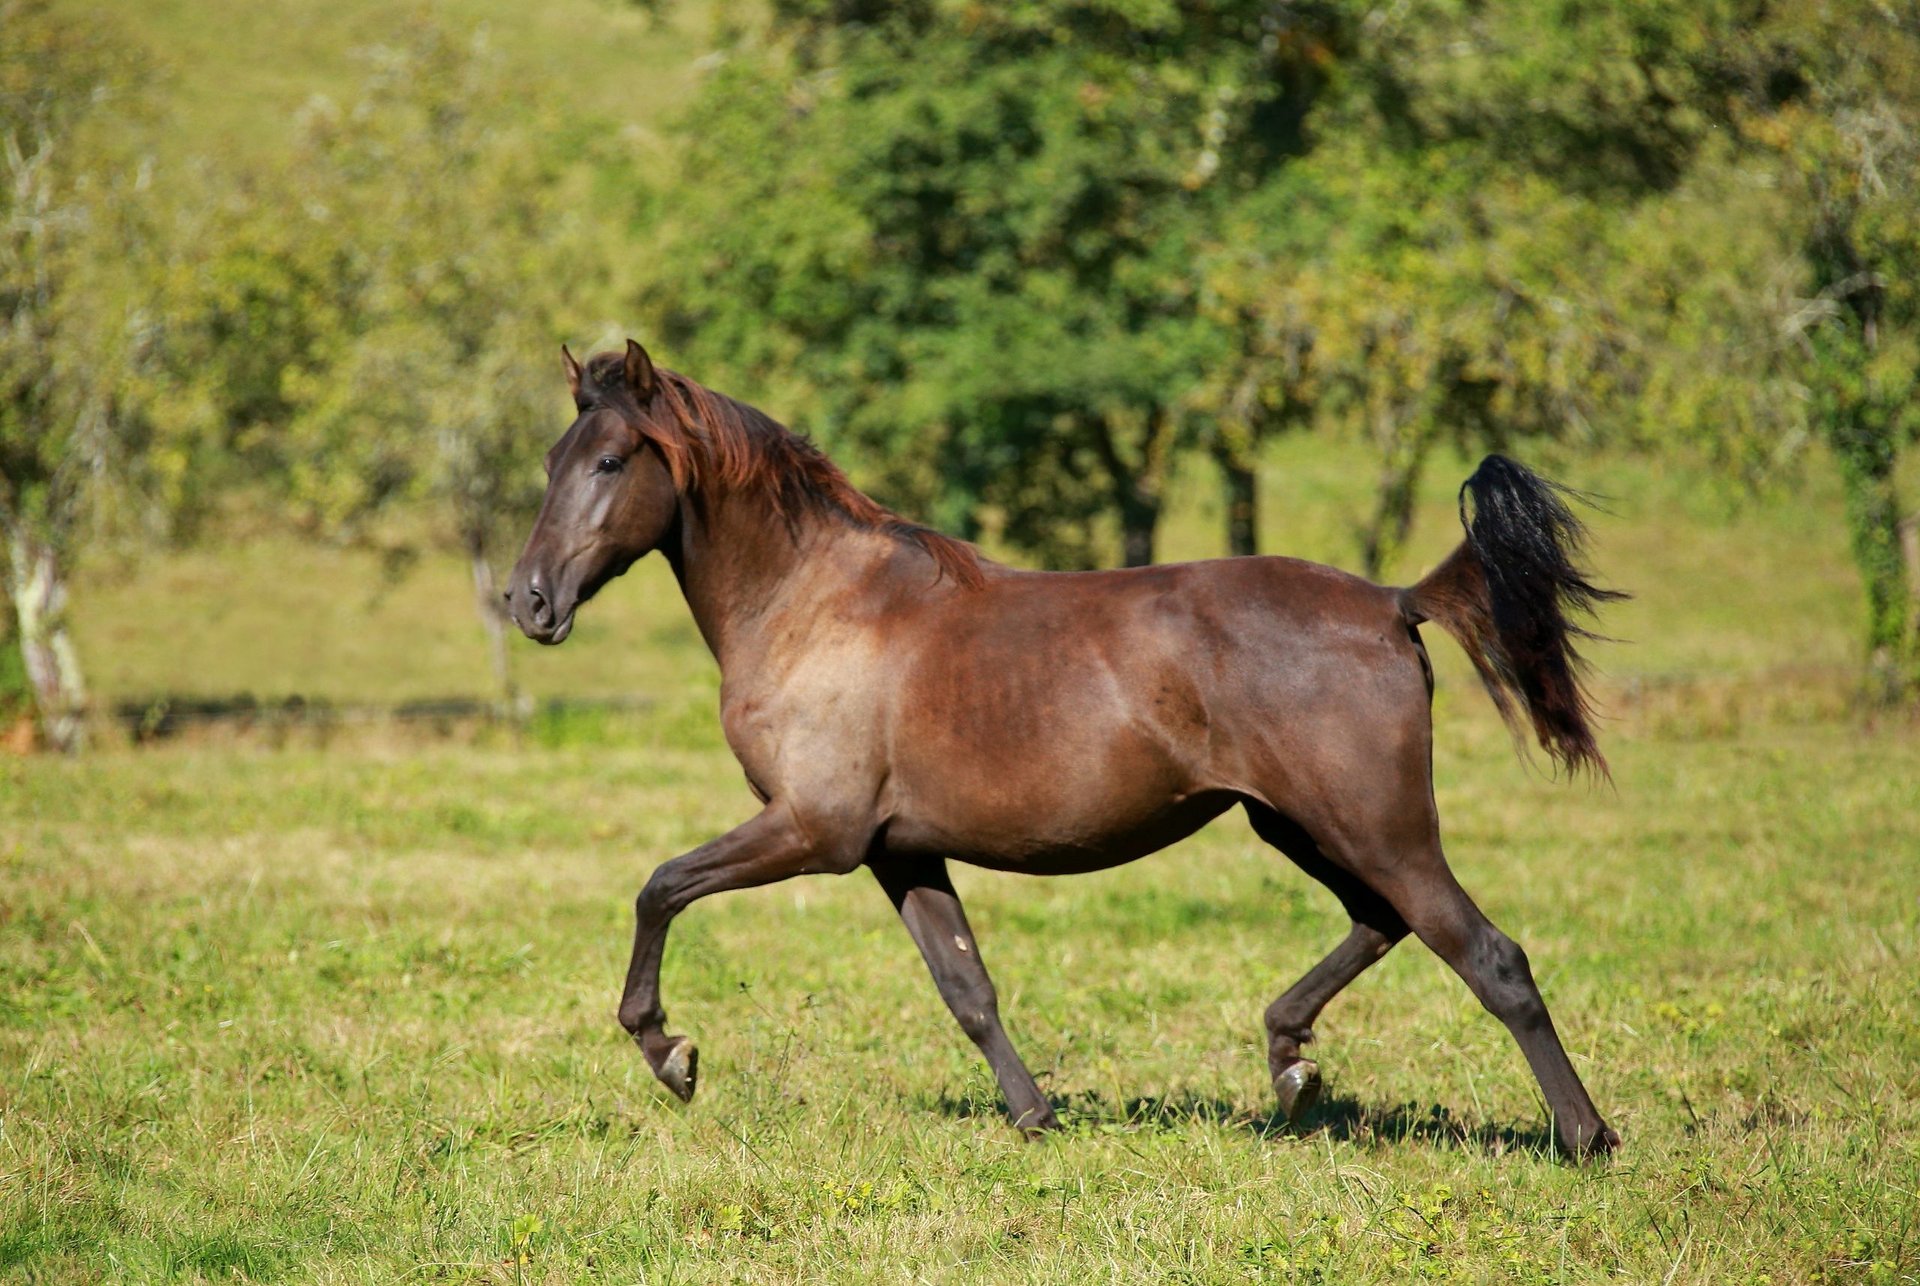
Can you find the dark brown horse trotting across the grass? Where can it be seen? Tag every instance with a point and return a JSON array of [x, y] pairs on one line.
[[901, 703]]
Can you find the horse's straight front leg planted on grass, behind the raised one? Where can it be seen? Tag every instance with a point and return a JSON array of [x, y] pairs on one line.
[[932, 913]]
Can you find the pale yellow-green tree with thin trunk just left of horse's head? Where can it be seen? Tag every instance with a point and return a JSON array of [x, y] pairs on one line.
[[379, 331]]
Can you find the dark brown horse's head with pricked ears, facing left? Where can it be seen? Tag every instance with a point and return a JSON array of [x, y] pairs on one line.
[[612, 494]]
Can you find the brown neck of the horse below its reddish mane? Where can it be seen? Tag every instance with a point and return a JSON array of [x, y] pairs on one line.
[[740, 563]]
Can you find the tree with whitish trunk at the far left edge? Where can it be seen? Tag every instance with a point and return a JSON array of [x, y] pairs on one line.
[[70, 337]]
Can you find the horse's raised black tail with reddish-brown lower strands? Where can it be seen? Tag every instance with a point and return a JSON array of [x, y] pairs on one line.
[[1508, 594]]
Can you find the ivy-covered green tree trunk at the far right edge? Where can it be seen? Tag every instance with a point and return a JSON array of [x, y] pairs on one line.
[[1867, 462]]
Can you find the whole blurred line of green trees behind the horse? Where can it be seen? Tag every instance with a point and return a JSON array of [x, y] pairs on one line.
[[1011, 262]]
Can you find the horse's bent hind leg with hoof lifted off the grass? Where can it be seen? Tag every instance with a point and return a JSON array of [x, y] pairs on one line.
[[1378, 926]]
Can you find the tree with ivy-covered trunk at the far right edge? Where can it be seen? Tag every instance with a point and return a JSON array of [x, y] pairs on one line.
[[1785, 279]]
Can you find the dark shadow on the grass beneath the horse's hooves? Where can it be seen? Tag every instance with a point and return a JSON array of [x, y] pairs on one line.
[[1339, 1118]]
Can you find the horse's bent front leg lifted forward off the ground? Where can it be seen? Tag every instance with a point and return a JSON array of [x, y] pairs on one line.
[[765, 851]]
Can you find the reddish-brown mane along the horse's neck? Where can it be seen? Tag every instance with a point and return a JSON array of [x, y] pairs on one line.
[[713, 441]]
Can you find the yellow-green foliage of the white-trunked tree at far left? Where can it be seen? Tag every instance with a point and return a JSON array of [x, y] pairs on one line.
[[76, 297]]
